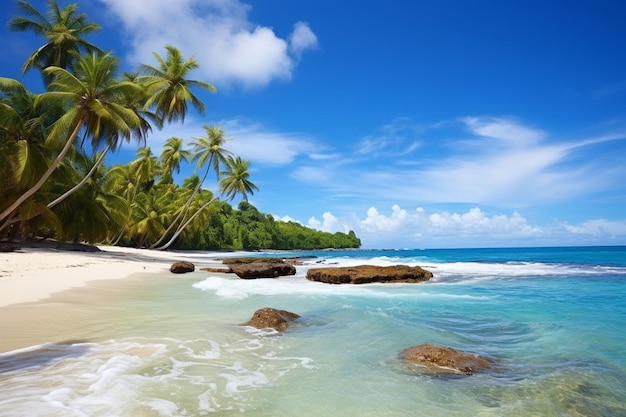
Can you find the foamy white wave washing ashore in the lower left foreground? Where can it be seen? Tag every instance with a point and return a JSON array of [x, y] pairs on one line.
[[131, 377]]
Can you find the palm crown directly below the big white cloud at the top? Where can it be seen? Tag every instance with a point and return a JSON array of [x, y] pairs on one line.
[[169, 90]]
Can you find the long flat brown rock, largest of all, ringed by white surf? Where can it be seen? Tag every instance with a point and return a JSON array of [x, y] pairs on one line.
[[366, 274]]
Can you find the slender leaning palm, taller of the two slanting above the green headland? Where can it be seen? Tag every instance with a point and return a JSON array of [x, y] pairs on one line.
[[208, 151]]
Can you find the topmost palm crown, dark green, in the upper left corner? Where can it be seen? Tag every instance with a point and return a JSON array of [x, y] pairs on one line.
[[64, 31]]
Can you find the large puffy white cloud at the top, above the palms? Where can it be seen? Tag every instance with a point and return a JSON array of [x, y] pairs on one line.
[[229, 47]]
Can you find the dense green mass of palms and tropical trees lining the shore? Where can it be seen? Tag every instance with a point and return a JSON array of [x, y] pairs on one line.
[[54, 180]]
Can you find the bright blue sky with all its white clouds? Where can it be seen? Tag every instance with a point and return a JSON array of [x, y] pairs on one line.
[[414, 123]]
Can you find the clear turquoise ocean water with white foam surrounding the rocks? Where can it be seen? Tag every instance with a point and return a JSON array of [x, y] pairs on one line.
[[553, 320]]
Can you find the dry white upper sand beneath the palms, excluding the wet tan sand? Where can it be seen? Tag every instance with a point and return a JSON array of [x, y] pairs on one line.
[[33, 274]]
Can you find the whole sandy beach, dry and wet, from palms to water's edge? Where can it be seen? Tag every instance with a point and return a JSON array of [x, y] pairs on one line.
[[45, 291]]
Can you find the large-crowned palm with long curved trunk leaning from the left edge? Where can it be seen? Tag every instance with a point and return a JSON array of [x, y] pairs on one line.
[[91, 102]]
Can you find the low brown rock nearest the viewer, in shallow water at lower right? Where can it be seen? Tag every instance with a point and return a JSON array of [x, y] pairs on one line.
[[440, 359]]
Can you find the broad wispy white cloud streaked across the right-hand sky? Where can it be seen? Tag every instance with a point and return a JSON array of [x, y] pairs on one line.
[[501, 163]]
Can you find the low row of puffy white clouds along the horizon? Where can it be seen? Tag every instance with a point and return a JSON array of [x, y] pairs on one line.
[[471, 228]]
